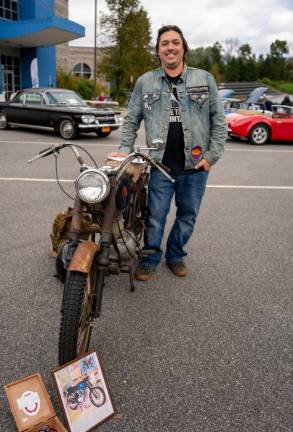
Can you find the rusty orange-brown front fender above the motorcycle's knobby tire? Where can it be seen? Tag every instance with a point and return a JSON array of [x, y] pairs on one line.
[[83, 257]]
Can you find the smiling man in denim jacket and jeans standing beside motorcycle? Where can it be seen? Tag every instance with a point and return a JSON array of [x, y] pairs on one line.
[[181, 107]]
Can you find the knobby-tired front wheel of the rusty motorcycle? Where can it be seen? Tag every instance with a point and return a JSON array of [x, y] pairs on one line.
[[77, 318]]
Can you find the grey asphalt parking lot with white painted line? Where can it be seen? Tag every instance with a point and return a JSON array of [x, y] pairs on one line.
[[209, 353]]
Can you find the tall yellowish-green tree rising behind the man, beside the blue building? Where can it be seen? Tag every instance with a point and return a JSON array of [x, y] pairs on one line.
[[130, 54]]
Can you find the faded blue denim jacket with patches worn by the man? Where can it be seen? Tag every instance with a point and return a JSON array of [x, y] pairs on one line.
[[201, 111]]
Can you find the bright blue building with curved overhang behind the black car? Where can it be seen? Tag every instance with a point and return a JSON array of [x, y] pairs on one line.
[[30, 31]]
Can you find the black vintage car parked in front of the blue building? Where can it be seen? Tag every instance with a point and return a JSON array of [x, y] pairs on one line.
[[62, 111]]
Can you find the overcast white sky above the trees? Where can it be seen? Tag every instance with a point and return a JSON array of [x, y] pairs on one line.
[[257, 22]]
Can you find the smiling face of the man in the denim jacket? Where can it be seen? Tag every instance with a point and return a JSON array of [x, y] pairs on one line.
[[171, 50]]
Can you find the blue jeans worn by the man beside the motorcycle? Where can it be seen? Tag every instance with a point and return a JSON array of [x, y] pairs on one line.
[[189, 190]]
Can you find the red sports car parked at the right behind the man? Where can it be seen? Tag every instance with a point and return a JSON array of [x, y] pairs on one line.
[[260, 128]]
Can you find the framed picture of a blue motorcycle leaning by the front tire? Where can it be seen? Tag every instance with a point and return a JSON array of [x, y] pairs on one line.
[[83, 392]]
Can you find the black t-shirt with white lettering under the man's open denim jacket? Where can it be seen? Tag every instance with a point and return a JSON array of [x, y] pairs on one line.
[[174, 157]]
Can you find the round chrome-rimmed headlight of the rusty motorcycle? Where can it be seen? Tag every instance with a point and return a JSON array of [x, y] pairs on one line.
[[92, 186]]
